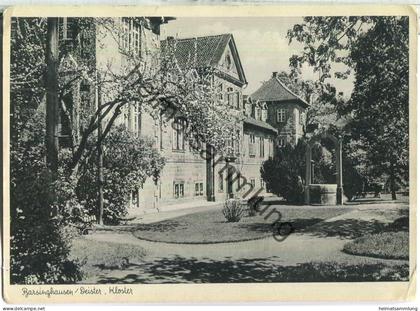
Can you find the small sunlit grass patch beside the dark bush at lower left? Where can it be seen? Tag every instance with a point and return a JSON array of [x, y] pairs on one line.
[[96, 256]]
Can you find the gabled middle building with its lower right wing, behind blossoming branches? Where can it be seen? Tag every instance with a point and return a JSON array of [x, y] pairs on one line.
[[187, 176]]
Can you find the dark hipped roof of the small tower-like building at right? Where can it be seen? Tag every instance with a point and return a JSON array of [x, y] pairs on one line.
[[275, 90]]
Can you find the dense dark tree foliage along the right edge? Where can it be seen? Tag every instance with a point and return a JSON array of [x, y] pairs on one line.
[[380, 119]]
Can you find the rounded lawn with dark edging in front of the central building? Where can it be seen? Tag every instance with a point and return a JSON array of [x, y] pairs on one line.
[[211, 227]]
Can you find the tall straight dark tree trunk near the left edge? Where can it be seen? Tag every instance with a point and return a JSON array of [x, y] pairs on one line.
[[52, 107]]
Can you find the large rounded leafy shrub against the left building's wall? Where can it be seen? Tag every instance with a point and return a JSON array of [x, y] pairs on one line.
[[127, 162]]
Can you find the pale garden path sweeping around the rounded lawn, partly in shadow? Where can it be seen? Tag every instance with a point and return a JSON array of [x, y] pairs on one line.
[[322, 242]]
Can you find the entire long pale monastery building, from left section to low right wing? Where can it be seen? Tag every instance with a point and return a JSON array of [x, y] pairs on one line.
[[187, 176]]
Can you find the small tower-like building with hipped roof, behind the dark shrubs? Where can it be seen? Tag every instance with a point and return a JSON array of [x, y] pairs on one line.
[[286, 111]]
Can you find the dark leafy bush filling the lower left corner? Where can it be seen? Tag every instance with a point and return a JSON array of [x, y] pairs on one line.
[[39, 241]]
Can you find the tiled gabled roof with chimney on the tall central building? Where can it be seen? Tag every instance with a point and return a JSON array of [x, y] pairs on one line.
[[208, 50]]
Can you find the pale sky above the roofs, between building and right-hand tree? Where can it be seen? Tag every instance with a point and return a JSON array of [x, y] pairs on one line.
[[261, 43]]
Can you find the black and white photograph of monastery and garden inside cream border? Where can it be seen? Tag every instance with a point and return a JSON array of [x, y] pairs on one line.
[[209, 149]]
